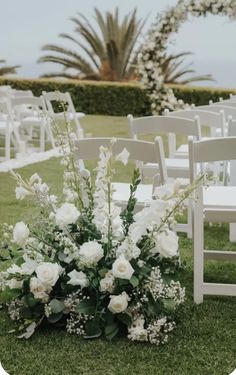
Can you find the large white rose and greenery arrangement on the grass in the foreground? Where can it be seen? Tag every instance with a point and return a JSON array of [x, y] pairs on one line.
[[87, 265]]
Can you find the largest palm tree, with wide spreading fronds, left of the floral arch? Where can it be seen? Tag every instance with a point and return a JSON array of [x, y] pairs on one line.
[[109, 51]]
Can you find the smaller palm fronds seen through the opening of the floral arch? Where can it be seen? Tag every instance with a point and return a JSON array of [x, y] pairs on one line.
[[175, 73]]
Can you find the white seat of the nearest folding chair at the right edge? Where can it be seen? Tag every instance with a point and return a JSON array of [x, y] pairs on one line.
[[219, 197]]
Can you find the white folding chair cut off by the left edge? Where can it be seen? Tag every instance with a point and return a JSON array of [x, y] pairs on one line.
[[9, 129]]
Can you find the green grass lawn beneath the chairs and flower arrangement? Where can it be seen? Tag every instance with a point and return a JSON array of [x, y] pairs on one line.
[[204, 342]]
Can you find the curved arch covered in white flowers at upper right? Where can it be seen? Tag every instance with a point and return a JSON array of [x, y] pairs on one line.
[[151, 57]]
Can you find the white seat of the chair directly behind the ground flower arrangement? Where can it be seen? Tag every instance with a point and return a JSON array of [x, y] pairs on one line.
[[122, 193]]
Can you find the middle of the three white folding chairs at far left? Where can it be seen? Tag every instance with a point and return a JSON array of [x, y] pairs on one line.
[[31, 112]]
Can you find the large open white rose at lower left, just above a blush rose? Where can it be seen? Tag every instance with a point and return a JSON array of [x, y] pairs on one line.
[[48, 273]]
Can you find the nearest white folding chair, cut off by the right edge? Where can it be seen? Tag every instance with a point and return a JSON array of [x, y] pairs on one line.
[[213, 204]]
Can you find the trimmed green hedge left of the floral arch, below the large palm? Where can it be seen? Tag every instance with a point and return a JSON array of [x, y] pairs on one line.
[[103, 98]]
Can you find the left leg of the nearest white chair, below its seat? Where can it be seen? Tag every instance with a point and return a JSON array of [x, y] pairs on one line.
[[198, 256]]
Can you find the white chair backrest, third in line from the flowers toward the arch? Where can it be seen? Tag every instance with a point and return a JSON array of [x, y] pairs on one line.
[[210, 119]]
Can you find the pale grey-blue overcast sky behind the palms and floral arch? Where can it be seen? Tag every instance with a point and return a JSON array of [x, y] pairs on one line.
[[26, 25]]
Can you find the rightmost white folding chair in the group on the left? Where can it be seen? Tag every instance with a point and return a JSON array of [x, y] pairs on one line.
[[70, 112]]
